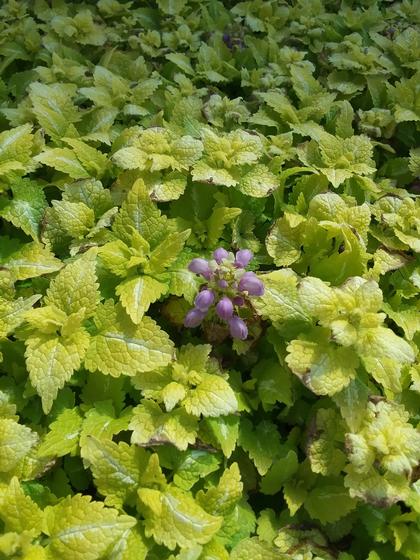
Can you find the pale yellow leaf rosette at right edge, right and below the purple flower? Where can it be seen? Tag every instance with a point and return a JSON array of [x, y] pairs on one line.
[[351, 332]]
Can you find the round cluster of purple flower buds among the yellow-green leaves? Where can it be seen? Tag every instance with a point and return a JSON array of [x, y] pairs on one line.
[[228, 287]]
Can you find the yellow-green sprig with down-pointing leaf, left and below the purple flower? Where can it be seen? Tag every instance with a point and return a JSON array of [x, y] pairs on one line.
[[58, 342]]
